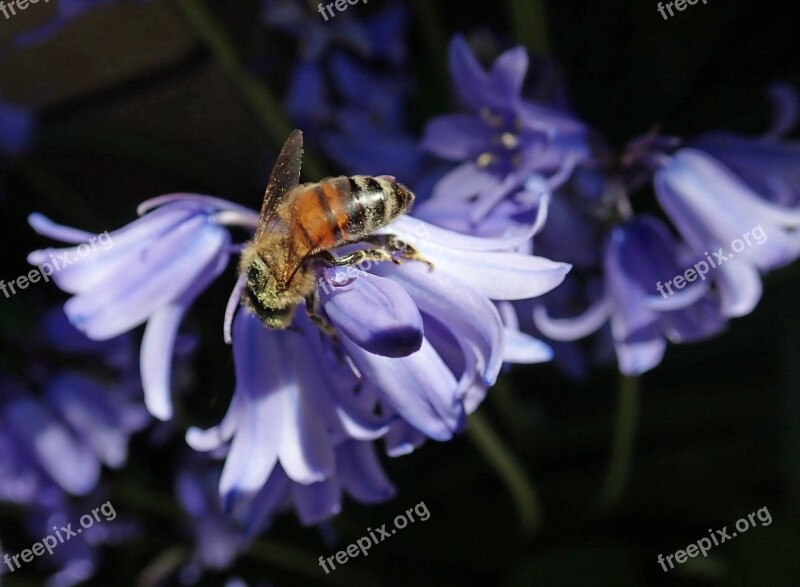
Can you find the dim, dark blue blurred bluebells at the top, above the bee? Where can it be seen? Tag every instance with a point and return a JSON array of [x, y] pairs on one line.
[[350, 84]]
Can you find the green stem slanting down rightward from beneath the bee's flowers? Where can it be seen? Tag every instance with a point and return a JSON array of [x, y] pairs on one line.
[[509, 469]]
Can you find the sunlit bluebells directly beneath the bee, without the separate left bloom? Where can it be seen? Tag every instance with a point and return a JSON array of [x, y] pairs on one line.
[[416, 345]]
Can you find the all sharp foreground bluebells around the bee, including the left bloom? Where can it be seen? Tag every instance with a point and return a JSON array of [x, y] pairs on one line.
[[414, 344]]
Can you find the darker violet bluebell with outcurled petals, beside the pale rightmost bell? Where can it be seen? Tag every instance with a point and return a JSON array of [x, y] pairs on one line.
[[639, 256]]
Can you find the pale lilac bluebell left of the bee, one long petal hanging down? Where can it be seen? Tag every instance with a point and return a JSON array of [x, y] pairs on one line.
[[149, 271]]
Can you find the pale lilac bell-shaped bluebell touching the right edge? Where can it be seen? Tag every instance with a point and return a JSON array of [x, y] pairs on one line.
[[724, 219]]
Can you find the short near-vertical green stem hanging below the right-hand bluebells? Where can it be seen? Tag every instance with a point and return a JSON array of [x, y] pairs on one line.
[[622, 445]]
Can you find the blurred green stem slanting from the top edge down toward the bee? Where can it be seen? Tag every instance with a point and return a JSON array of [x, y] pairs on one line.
[[255, 94]]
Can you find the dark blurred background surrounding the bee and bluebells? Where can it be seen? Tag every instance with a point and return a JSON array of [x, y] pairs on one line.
[[104, 104]]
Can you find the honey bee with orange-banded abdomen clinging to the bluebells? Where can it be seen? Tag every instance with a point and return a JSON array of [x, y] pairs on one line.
[[298, 226]]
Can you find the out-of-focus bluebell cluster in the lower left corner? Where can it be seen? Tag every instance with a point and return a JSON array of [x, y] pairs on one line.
[[59, 429]]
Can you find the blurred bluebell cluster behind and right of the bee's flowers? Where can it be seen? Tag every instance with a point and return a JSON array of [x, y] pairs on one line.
[[516, 155]]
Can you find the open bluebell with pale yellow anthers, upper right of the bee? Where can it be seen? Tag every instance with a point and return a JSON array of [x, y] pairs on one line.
[[503, 139]]
